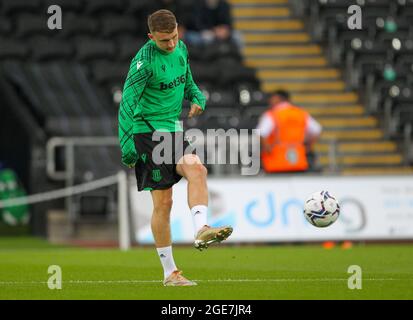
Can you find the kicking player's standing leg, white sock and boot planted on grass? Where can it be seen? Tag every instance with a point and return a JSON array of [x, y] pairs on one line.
[[161, 230]]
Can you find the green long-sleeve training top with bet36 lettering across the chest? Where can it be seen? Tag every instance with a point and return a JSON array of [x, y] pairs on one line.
[[156, 85]]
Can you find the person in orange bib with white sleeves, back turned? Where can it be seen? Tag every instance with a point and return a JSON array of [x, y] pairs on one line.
[[287, 132]]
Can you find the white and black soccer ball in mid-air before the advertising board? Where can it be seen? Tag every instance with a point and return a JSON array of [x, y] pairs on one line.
[[321, 209]]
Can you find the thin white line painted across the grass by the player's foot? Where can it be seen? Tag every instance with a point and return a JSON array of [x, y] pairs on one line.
[[200, 280]]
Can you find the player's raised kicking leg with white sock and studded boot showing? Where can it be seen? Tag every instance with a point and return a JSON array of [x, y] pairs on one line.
[[191, 167]]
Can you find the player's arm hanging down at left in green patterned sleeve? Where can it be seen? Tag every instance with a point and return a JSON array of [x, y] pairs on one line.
[[138, 76]]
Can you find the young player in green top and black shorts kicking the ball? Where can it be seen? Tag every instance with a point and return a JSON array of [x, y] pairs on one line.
[[159, 79]]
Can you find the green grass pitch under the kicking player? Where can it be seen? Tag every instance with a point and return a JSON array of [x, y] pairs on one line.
[[222, 272]]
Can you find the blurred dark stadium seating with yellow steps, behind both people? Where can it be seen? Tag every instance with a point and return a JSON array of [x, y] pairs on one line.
[[68, 82]]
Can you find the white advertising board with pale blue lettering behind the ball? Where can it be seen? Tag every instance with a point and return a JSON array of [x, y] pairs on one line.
[[270, 209]]
